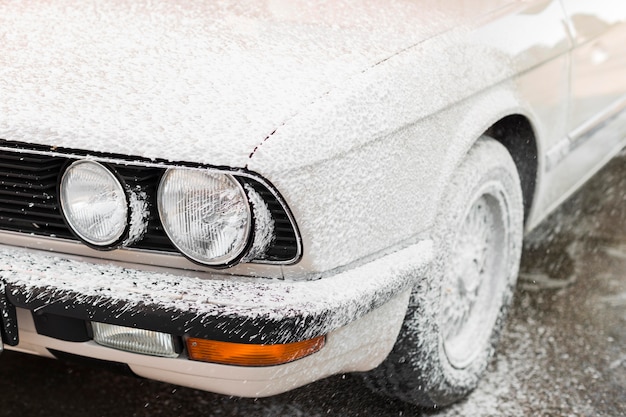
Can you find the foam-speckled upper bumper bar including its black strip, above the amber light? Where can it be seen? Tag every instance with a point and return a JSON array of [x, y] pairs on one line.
[[248, 310]]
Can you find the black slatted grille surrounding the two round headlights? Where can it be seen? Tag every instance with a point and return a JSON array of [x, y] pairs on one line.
[[29, 200]]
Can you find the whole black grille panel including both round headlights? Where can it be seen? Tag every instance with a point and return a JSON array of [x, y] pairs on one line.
[[108, 202]]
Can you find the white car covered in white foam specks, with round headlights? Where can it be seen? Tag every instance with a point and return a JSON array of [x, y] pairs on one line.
[[246, 197]]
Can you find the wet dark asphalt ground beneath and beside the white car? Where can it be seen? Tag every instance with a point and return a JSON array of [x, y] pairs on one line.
[[563, 352]]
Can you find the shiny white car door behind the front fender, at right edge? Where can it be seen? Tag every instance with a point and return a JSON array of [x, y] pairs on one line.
[[596, 125]]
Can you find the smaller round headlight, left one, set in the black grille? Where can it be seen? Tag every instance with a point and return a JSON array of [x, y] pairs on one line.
[[94, 203]]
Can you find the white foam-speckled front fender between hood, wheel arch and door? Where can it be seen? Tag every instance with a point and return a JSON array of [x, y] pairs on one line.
[[413, 131]]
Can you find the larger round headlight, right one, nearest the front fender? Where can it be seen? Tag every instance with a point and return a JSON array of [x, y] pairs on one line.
[[206, 215]]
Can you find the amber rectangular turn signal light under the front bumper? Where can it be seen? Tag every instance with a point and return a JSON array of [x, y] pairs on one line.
[[242, 354]]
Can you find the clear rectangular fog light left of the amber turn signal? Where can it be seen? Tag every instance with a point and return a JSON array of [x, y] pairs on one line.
[[146, 342]]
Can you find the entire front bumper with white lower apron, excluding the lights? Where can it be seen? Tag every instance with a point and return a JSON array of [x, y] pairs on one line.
[[369, 299]]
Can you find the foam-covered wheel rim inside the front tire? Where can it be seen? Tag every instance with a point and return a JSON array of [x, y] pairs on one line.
[[474, 280]]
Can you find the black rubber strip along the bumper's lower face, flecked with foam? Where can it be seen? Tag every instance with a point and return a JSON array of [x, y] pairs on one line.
[[290, 328]]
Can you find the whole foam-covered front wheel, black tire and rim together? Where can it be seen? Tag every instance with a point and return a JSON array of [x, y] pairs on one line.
[[456, 314]]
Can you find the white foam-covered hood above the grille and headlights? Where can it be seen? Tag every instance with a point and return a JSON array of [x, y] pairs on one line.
[[188, 81]]
